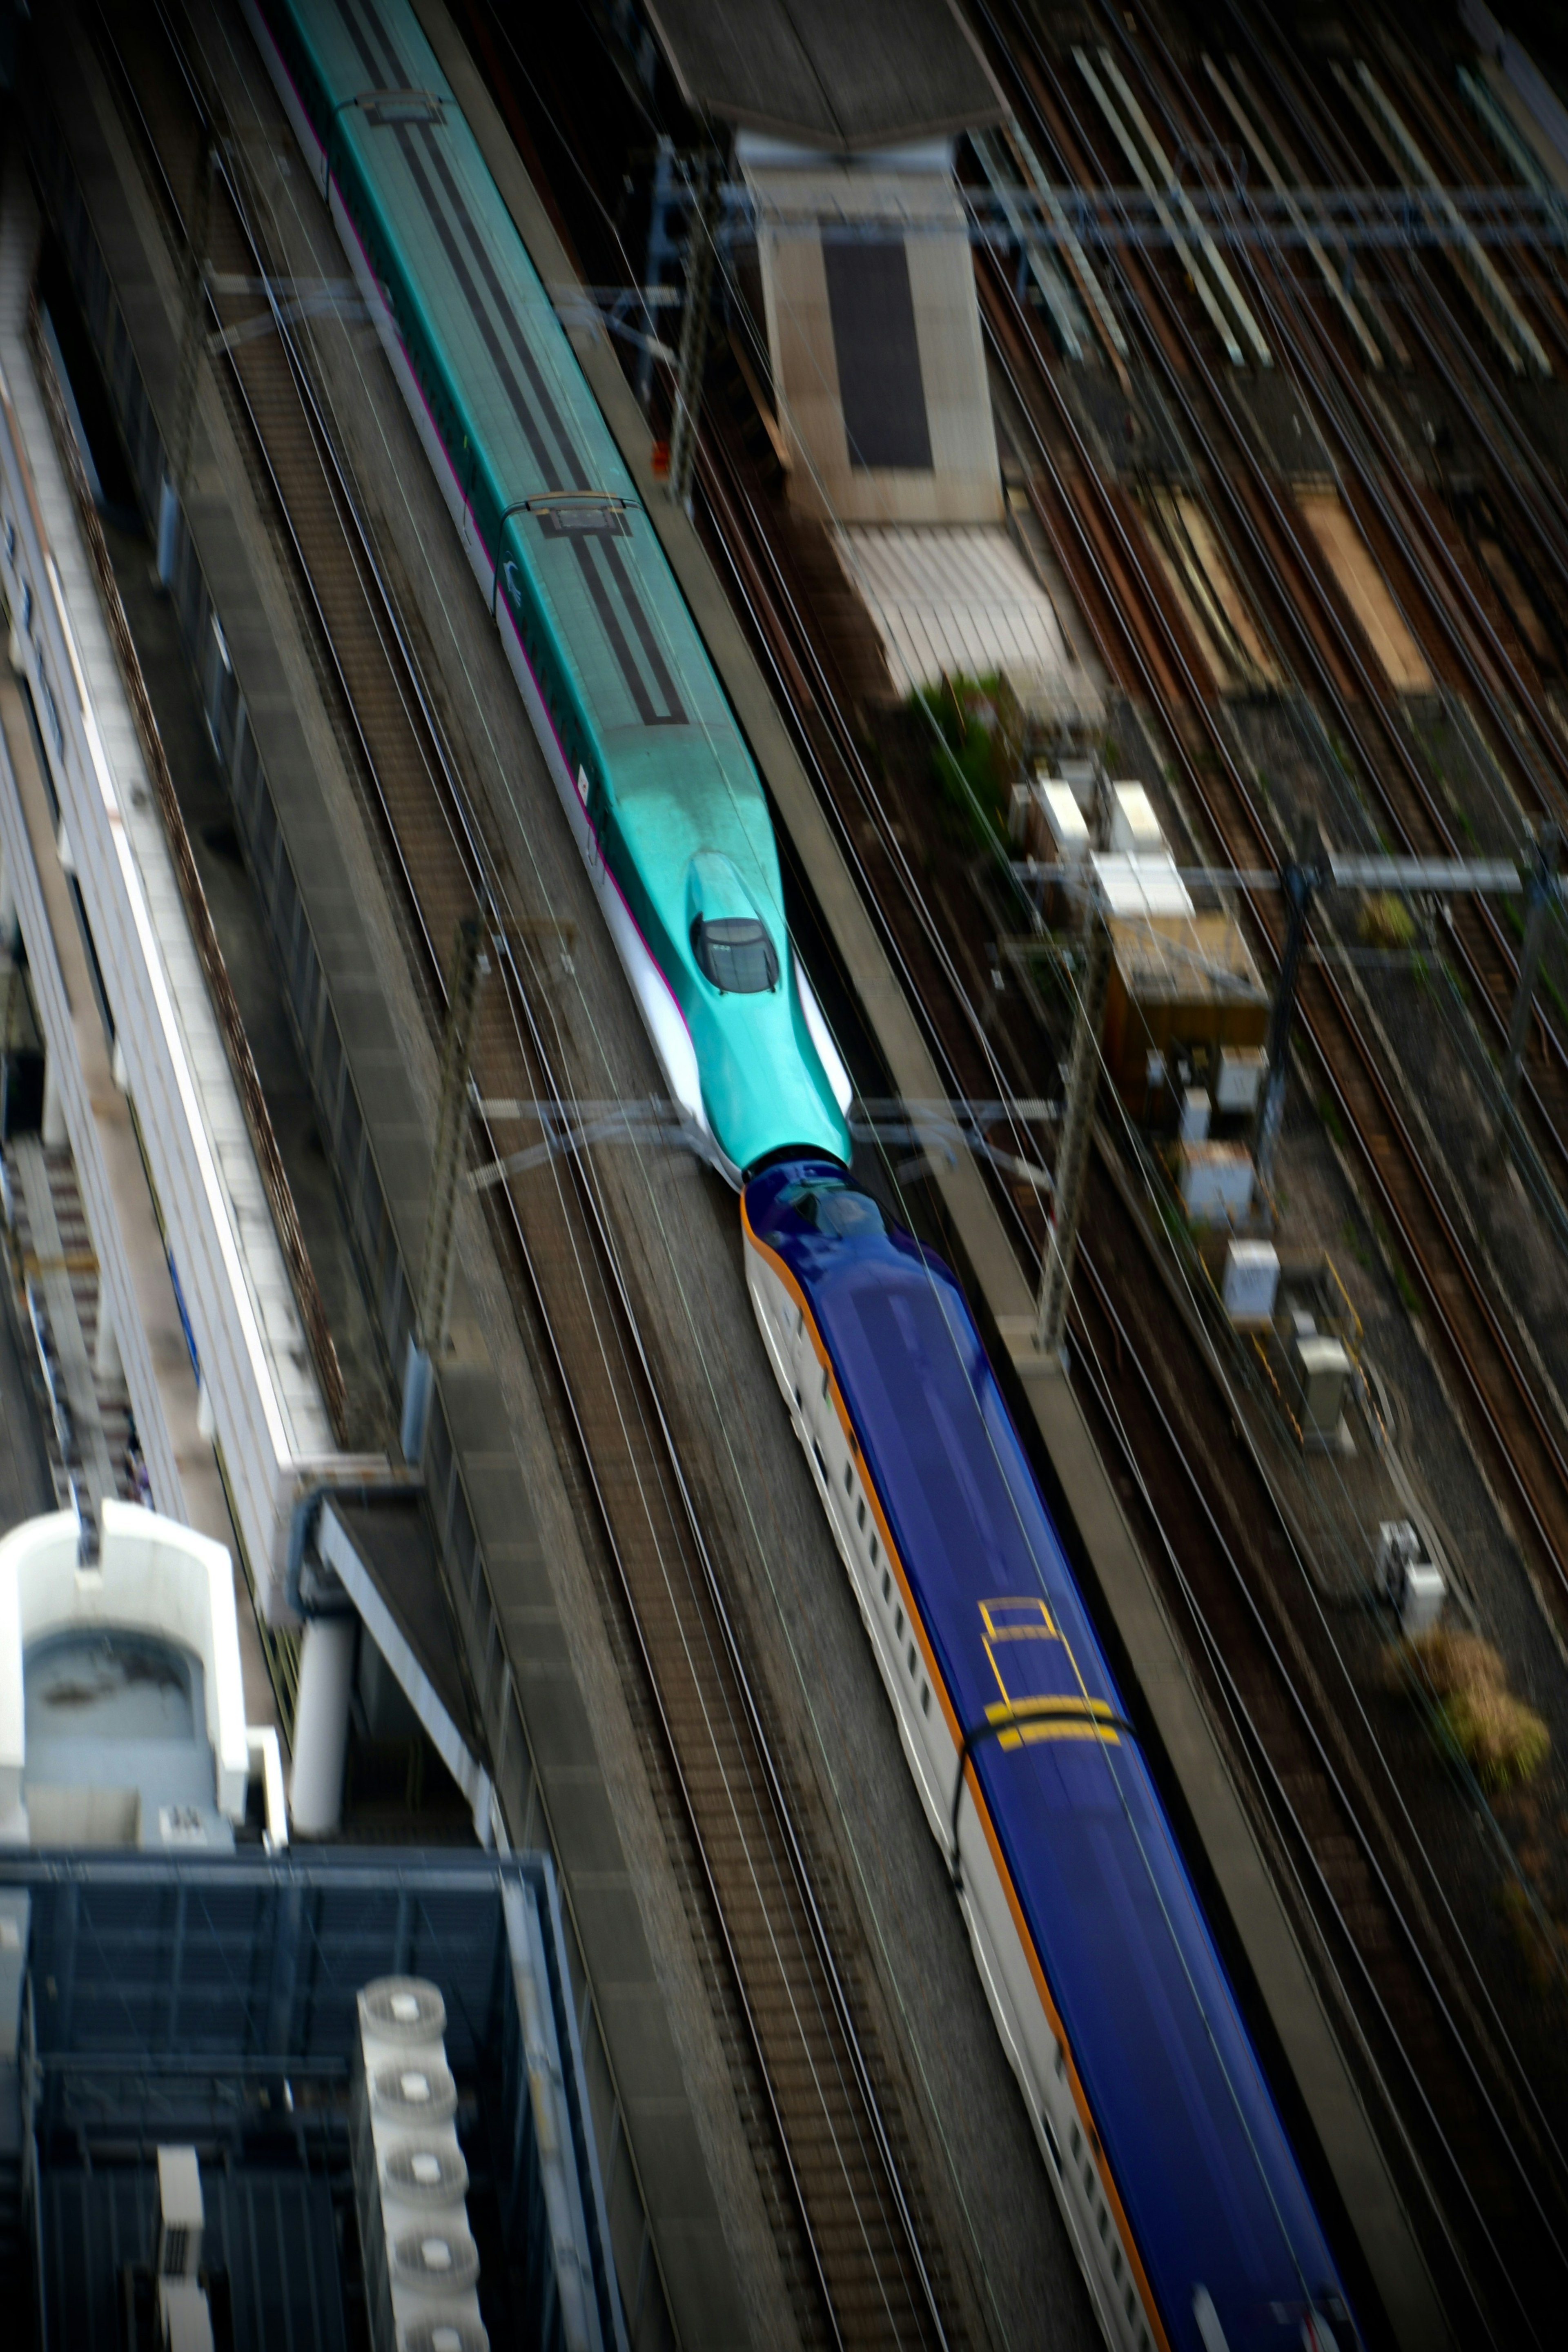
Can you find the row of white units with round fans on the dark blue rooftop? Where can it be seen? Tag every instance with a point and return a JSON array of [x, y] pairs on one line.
[[422, 2264]]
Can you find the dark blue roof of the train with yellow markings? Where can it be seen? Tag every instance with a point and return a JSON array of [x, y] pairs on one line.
[[1127, 1956]]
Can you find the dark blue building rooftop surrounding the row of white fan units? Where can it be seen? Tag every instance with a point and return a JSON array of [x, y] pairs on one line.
[[213, 2005]]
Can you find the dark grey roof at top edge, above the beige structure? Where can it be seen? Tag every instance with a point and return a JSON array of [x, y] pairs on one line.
[[829, 76]]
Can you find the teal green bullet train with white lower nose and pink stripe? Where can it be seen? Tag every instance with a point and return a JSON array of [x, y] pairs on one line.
[[645, 754]]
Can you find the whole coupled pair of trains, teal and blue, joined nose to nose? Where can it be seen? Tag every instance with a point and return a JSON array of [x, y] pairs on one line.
[[1160, 2137]]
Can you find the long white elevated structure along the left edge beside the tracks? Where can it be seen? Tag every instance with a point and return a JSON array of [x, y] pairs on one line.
[[161, 1114]]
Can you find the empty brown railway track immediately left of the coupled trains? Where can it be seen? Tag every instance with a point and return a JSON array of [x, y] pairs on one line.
[[824, 2090]]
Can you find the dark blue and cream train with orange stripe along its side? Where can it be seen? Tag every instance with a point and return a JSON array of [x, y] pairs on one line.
[[1170, 2160]]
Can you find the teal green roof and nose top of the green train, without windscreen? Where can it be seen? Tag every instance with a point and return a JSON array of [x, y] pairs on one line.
[[641, 709]]
